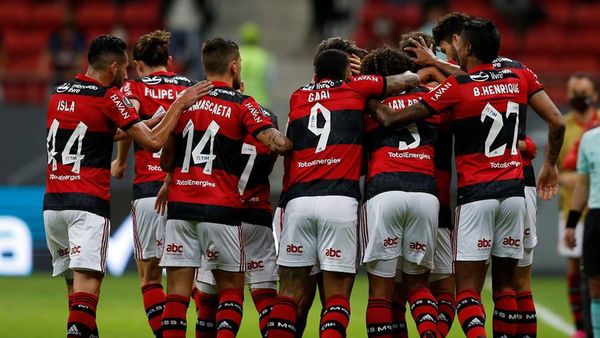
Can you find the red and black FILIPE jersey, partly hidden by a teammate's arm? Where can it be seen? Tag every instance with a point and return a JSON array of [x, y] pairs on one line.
[[155, 93]]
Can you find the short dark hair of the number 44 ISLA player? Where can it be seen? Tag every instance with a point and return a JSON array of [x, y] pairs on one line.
[[104, 50]]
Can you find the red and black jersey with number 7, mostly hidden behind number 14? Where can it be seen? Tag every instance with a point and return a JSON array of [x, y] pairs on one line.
[[254, 183]]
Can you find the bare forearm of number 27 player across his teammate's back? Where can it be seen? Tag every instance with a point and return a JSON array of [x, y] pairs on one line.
[[393, 119]]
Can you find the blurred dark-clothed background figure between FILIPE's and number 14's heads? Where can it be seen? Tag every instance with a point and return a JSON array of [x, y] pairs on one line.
[[189, 22]]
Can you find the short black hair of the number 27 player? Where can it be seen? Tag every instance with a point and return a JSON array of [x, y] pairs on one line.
[[484, 38]]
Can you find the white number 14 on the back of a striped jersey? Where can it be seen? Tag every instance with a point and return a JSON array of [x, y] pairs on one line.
[[196, 154]]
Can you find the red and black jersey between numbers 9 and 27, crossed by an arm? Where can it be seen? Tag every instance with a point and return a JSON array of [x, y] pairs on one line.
[[401, 159]]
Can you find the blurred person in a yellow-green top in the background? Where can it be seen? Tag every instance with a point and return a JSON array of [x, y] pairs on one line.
[[258, 65]]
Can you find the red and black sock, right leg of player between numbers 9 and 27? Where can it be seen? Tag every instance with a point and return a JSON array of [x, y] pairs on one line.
[[424, 311]]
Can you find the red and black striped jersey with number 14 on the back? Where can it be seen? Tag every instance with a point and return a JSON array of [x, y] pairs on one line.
[[208, 163]]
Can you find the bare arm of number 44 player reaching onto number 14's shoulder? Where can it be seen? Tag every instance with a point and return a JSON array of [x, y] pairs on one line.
[[154, 139]]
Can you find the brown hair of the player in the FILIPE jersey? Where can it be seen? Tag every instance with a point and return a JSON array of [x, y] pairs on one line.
[[153, 48]]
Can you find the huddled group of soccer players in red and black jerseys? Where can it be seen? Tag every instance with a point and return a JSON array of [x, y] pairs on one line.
[[204, 152]]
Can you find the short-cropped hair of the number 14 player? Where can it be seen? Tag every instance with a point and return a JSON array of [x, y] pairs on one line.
[[217, 54]]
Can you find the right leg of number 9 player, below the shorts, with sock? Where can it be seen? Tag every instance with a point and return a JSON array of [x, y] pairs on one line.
[[335, 317]]
